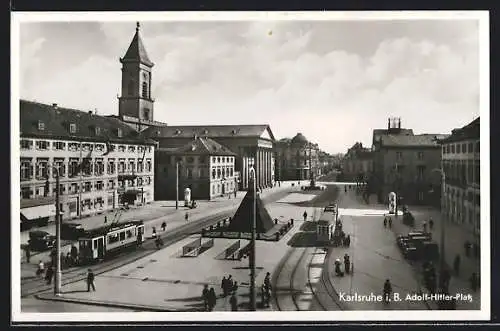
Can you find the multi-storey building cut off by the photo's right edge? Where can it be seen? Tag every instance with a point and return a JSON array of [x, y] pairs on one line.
[[461, 164]]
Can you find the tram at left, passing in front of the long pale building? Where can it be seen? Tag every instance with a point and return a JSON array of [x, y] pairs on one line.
[[99, 243]]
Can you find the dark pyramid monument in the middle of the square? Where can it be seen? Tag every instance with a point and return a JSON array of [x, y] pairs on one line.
[[243, 218]]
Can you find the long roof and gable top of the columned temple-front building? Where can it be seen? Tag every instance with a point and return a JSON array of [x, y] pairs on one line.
[[210, 131]]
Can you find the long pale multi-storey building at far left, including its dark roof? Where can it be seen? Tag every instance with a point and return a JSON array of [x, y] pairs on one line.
[[101, 162]]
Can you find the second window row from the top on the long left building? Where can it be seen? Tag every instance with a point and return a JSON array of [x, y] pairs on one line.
[[42, 167]]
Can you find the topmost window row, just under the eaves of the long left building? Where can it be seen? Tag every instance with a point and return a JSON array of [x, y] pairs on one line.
[[27, 144]]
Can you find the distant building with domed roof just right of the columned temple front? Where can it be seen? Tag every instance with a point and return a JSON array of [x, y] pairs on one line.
[[297, 159]]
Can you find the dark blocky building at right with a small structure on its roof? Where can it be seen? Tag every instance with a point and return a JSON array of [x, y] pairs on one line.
[[403, 163]]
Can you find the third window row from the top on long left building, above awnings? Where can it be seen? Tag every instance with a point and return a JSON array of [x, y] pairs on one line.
[[28, 192]]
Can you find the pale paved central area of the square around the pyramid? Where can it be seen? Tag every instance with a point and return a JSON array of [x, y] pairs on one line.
[[166, 281]]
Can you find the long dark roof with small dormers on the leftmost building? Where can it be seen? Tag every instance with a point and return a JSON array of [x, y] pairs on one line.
[[56, 122]]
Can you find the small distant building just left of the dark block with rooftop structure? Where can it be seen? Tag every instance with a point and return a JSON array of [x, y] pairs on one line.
[[357, 163]]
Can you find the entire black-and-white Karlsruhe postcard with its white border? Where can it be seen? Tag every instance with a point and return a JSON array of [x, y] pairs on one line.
[[250, 166]]
